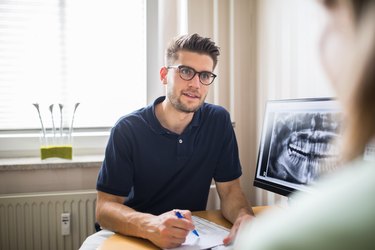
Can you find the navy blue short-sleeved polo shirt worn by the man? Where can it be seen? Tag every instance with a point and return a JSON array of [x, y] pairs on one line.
[[159, 170]]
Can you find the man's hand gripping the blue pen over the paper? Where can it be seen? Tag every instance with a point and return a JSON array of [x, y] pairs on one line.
[[168, 231]]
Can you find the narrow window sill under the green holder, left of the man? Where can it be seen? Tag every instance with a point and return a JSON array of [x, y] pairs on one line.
[[35, 163]]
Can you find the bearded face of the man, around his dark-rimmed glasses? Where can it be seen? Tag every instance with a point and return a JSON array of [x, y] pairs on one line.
[[187, 96]]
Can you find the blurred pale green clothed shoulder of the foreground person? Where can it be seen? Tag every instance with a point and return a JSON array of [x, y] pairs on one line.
[[340, 206]]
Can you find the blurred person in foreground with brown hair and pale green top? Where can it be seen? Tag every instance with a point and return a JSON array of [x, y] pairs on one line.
[[341, 213]]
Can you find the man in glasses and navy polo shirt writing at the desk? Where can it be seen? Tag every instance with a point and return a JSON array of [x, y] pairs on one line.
[[163, 157]]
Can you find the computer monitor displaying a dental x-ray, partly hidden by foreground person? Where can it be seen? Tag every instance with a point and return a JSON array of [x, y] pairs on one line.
[[298, 144]]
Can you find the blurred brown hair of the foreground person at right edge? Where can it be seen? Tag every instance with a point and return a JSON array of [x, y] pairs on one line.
[[360, 127]]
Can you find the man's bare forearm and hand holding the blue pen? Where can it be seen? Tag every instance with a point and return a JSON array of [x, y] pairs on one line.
[[165, 230]]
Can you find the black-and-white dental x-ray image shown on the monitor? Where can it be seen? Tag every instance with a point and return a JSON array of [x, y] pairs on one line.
[[302, 146]]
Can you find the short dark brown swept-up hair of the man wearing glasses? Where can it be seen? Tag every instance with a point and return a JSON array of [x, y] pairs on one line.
[[192, 43]]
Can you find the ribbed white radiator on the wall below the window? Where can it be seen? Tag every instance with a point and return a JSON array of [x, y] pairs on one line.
[[33, 221]]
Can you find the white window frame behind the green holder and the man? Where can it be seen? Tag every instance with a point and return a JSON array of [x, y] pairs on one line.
[[91, 141]]
